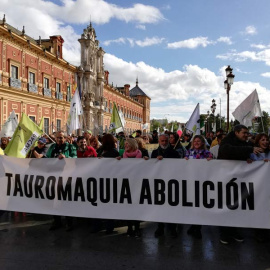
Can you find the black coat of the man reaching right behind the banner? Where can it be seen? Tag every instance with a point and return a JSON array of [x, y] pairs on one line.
[[234, 149]]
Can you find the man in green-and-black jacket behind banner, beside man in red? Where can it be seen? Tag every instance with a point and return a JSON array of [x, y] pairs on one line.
[[61, 150]]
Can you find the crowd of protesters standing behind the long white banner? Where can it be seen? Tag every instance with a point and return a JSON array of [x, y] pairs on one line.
[[238, 144]]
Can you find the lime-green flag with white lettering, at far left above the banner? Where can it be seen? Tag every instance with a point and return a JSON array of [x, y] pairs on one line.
[[24, 137]]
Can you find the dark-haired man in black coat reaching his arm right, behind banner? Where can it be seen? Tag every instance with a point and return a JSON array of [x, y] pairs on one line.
[[235, 147]]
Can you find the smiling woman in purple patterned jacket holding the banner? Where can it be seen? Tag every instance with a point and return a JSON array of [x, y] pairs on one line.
[[197, 151]]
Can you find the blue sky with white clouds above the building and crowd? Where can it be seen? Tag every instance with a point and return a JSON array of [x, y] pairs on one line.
[[178, 49]]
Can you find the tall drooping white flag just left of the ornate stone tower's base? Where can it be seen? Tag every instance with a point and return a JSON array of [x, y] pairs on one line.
[[74, 112]]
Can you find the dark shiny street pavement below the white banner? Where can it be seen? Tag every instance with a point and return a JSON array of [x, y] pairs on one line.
[[26, 243]]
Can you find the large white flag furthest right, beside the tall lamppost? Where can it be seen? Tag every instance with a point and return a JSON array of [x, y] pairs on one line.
[[248, 109]]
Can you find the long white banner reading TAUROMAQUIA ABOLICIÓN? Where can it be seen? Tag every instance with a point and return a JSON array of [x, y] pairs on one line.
[[216, 192]]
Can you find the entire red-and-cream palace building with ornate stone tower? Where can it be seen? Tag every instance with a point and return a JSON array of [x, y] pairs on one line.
[[36, 80]]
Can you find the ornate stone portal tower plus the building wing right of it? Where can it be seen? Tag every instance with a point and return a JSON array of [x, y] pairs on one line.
[[98, 94]]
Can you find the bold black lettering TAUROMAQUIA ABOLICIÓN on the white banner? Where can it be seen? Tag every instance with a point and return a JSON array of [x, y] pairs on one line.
[[208, 194]]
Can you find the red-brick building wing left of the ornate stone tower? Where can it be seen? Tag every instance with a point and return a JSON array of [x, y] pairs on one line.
[[34, 78]]
